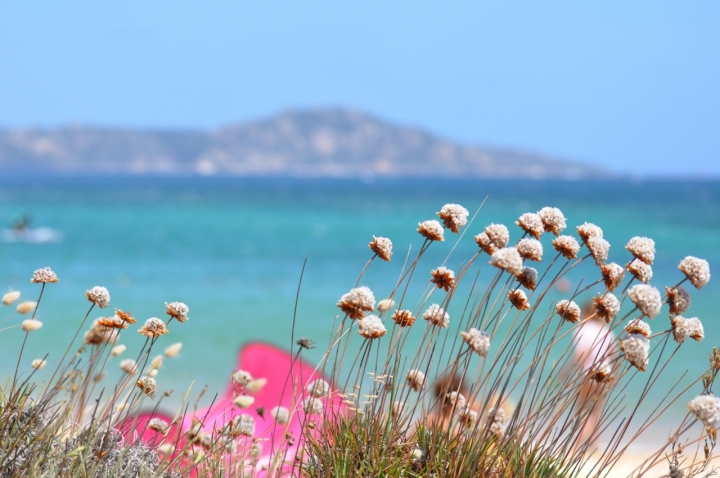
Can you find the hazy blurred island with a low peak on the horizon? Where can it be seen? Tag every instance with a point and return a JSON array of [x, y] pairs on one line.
[[307, 143]]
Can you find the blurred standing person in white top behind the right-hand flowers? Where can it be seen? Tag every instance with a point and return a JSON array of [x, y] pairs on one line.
[[593, 341]]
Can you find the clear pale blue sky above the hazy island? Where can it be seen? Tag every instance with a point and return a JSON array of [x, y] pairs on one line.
[[630, 86]]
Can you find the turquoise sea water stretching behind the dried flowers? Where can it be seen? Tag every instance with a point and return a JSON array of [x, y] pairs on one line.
[[233, 250]]
